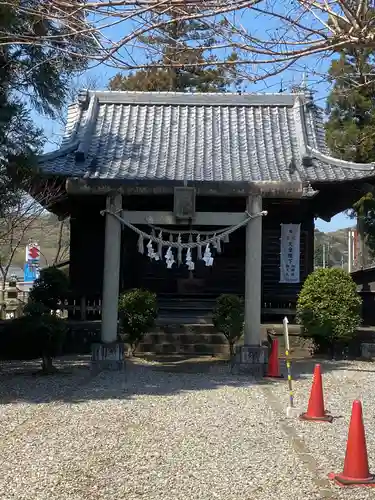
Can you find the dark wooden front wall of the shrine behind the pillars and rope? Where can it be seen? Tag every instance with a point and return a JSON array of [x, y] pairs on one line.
[[227, 274]]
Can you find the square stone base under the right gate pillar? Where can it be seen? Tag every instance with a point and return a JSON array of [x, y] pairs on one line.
[[251, 359]]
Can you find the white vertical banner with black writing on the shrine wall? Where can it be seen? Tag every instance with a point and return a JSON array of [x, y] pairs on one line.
[[290, 253]]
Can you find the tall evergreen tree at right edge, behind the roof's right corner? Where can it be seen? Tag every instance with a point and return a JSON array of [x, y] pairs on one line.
[[350, 129]]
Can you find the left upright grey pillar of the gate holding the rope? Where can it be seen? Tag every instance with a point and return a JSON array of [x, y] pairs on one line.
[[111, 278]]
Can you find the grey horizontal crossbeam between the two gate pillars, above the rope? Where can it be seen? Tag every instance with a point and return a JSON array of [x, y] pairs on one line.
[[168, 218]]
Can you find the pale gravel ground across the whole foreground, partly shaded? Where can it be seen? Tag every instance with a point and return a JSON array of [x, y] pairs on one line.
[[152, 434]]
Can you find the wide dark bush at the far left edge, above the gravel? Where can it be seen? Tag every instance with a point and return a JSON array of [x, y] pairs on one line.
[[38, 334]]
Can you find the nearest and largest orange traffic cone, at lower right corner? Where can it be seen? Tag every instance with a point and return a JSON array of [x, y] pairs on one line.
[[356, 471]]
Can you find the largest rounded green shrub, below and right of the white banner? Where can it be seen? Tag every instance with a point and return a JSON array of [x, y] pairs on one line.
[[328, 308]]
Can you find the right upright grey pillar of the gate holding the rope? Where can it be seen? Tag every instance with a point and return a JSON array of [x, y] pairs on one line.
[[253, 273]]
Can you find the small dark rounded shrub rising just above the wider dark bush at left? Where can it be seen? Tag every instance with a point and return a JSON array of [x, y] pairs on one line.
[[50, 289]]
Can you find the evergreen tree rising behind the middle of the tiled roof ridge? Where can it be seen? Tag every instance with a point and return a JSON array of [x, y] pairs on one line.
[[186, 43]]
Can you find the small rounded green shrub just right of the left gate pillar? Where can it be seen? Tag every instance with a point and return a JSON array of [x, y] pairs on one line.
[[138, 312]]
